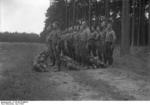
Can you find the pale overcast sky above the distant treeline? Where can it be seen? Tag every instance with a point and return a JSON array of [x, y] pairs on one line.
[[23, 15]]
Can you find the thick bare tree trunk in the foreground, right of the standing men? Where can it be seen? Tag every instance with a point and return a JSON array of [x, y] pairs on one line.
[[125, 31]]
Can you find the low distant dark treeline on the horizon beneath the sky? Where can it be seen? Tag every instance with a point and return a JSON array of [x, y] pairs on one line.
[[19, 37]]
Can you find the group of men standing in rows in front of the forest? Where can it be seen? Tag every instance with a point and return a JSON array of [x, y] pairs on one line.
[[87, 46]]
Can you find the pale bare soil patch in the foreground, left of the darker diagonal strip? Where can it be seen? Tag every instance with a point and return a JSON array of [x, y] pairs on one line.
[[66, 84]]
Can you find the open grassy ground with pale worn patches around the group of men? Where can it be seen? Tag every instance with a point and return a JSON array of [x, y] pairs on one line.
[[127, 79]]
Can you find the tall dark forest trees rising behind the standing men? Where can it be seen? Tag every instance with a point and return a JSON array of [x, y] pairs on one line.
[[130, 17]]
